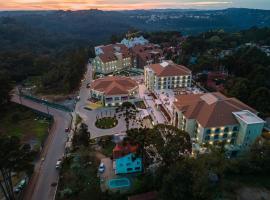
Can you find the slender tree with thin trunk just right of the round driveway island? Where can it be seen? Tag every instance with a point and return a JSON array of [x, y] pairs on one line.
[[129, 111]]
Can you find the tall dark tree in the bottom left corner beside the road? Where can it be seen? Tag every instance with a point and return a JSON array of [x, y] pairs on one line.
[[13, 158]]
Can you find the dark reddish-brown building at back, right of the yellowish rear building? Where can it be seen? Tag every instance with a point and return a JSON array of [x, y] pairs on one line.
[[146, 54]]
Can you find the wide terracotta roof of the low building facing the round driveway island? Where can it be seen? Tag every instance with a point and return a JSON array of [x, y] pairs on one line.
[[114, 85]]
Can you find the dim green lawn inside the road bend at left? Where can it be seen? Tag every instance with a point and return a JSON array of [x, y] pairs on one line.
[[24, 123]]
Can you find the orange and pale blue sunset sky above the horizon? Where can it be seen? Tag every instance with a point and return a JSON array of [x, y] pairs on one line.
[[129, 4]]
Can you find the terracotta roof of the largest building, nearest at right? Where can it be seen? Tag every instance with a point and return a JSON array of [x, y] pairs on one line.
[[211, 109]]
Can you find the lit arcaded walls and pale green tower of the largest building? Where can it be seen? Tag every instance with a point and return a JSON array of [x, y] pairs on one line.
[[242, 134]]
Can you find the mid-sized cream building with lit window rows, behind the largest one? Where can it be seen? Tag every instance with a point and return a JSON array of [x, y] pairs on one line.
[[166, 75]]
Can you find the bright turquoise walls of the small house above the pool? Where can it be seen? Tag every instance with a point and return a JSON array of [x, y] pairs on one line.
[[128, 164]]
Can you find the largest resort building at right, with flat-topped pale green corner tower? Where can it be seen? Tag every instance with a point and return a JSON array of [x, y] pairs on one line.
[[212, 118]]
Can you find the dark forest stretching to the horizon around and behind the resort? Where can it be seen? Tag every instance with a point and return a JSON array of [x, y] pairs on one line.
[[52, 47]]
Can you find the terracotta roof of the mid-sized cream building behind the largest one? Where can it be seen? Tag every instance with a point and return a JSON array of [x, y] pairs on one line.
[[170, 69]]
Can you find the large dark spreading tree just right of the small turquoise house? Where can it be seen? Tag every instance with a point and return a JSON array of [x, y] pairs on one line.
[[168, 143]]
